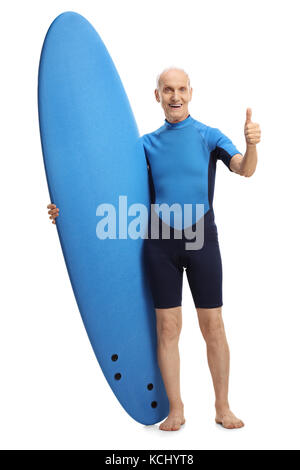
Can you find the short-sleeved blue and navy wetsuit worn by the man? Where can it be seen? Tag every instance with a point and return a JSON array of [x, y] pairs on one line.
[[182, 161]]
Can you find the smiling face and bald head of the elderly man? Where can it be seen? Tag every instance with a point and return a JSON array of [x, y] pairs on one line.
[[174, 95]]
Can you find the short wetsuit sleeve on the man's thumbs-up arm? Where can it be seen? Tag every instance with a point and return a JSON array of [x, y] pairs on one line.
[[221, 145]]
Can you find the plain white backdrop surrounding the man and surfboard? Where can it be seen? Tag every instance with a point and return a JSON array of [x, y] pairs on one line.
[[53, 394]]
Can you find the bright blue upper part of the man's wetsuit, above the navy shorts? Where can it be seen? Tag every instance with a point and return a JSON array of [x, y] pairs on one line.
[[182, 159]]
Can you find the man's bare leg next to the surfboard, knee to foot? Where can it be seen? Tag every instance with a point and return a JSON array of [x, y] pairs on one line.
[[168, 324]]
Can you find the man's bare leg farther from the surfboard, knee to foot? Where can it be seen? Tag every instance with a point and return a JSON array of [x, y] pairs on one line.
[[212, 328]]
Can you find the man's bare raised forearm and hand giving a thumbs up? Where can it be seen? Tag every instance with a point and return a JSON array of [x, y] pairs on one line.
[[246, 165]]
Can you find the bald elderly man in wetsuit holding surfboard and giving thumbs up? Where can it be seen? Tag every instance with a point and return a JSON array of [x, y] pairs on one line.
[[182, 156]]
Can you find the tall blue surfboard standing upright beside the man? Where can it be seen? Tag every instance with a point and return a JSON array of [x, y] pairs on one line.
[[92, 155]]
